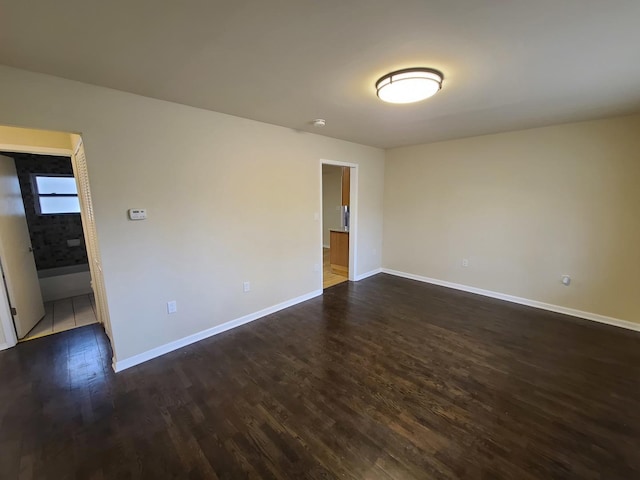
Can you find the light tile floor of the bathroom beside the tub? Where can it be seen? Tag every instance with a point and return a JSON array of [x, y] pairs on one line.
[[65, 314]]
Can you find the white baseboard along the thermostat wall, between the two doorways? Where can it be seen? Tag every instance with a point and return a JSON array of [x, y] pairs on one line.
[[120, 365]]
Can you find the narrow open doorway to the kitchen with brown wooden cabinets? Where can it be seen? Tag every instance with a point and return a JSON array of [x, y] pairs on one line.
[[339, 182]]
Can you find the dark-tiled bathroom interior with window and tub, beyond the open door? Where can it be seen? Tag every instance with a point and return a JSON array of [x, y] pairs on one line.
[[52, 214]]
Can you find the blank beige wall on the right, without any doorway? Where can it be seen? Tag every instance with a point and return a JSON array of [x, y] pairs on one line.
[[524, 207]]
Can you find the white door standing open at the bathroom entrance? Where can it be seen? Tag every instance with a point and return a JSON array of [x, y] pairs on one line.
[[19, 267]]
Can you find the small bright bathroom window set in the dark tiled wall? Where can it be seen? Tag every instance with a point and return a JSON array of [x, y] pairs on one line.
[[55, 194]]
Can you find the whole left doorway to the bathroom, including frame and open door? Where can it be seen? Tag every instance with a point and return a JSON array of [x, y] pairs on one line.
[[50, 263]]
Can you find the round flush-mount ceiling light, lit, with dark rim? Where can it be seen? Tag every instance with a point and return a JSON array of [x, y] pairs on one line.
[[409, 85]]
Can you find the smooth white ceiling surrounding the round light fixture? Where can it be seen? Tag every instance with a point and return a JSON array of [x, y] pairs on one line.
[[508, 64]]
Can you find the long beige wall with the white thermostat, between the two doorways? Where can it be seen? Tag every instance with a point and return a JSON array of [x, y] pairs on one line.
[[228, 200]]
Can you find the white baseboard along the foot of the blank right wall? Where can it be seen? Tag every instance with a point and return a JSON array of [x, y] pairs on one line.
[[616, 322]]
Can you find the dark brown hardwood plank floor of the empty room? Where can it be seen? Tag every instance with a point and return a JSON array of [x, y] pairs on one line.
[[384, 379]]
